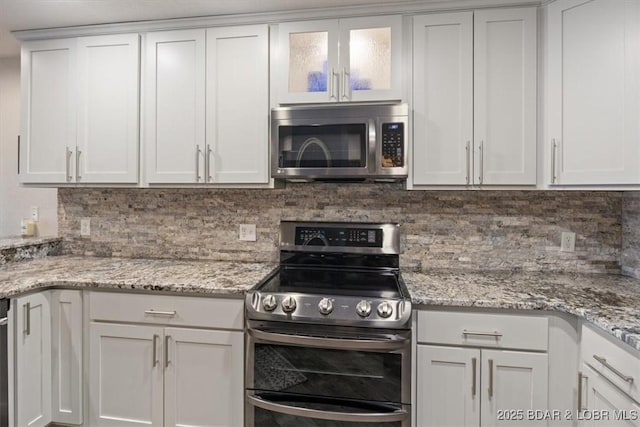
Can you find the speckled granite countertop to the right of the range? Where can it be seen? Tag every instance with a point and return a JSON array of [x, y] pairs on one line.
[[608, 301]]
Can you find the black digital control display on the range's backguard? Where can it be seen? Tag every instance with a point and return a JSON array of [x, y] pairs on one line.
[[323, 236]]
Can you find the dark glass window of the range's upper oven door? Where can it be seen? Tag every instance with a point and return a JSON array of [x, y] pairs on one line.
[[358, 375]]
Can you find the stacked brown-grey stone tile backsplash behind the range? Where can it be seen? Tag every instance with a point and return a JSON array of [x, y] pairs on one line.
[[472, 230]]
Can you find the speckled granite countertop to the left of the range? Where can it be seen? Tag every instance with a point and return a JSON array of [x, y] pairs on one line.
[[195, 277]]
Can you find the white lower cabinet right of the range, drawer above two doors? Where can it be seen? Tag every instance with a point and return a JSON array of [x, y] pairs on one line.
[[460, 384]]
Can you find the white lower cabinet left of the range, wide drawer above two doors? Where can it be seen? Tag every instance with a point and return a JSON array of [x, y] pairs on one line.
[[157, 374]]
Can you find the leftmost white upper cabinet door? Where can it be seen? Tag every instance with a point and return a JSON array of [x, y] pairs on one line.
[[48, 111]]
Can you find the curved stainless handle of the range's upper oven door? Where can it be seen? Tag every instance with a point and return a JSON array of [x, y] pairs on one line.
[[396, 343]]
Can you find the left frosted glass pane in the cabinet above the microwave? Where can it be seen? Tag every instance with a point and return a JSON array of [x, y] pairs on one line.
[[308, 62]]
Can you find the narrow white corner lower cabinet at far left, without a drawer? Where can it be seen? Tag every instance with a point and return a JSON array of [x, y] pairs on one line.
[[46, 346]]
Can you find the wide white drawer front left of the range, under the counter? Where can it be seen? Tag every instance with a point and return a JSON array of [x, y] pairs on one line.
[[167, 310]]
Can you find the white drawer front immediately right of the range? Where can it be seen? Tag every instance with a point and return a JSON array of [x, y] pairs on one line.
[[483, 330]]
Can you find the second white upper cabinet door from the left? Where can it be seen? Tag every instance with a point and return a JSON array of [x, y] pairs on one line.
[[108, 70]]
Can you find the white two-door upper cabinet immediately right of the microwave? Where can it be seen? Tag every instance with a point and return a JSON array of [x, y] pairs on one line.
[[475, 98]]
